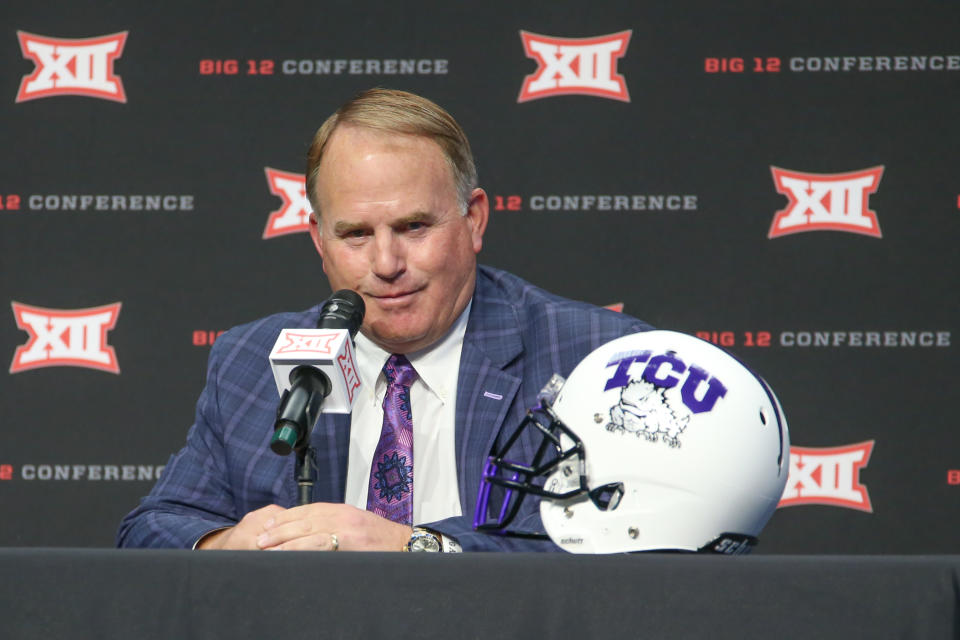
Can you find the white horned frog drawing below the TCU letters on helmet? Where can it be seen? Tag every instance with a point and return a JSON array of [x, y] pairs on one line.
[[645, 411]]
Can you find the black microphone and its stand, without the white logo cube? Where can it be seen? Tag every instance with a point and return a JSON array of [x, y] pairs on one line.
[[301, 405]]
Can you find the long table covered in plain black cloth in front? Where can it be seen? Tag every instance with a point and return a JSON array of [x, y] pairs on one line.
[[108, 593]]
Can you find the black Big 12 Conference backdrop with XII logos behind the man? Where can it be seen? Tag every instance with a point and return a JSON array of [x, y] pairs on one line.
[[854, 331]]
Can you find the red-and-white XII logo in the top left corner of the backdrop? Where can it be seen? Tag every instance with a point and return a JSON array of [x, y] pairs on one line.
[[72, 67]]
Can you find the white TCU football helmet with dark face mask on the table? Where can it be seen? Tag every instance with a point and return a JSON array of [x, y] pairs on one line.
[[656, 441]]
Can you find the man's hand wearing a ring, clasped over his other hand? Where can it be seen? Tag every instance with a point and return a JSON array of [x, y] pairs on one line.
[[313, 527]]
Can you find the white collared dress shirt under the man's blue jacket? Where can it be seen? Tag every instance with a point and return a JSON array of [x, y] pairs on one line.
[[433, 400]]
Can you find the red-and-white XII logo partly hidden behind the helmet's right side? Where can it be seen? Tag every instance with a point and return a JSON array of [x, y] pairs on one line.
[[828, 476]]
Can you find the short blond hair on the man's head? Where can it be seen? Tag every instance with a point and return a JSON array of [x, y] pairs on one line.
[[399, 112]]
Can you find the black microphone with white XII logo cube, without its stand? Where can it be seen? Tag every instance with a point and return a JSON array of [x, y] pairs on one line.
[[315, 370]]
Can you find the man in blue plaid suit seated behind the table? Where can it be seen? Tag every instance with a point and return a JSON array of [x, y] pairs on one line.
[[399, 219]]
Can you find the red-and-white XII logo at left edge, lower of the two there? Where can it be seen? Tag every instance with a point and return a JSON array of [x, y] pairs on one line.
[[65, 338]]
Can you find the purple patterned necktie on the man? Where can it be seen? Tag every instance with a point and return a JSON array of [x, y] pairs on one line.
[[390, 492]]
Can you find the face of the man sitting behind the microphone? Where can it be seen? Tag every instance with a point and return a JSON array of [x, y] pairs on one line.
[[391, 229]]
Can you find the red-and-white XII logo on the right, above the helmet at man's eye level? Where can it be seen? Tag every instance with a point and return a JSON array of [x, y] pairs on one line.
[[826, 202]]
